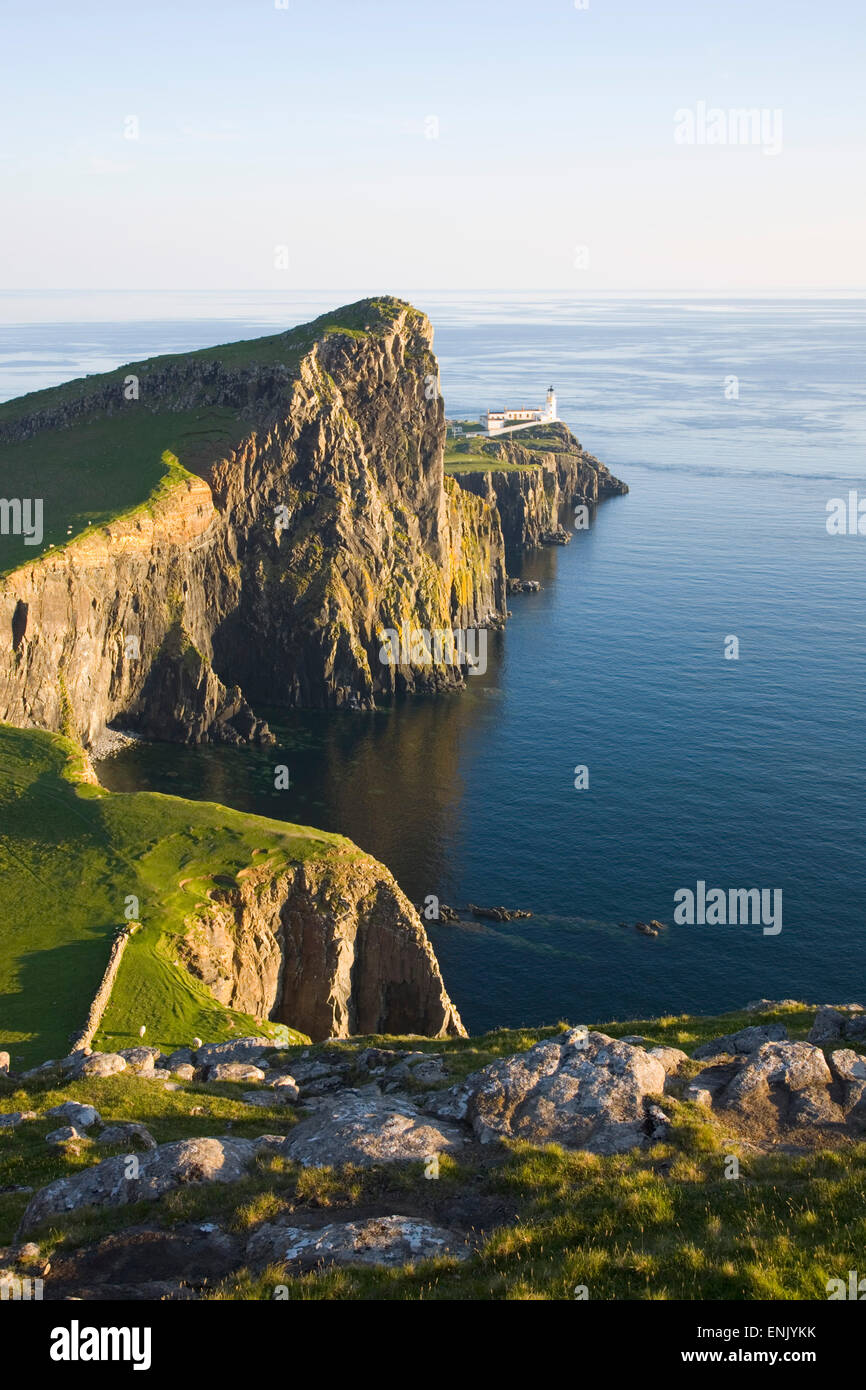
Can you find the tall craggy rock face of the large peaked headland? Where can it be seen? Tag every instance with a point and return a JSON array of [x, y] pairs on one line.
[[272, 573]]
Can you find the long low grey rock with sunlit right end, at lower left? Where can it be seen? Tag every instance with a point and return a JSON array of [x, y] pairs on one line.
[[162, 1171]]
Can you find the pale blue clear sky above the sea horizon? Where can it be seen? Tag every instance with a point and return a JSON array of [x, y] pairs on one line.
[[477, 145]]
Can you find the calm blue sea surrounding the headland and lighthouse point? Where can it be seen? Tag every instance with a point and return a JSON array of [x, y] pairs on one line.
[[744, 774]]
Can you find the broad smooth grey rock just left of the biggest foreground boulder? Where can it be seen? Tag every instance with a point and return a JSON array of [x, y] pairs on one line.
[[362, 1128]]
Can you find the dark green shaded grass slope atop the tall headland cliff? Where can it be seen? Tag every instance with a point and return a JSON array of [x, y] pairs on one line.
[[105, 468]]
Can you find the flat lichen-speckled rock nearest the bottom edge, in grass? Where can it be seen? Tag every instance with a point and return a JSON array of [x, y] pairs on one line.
[[380, 1241]]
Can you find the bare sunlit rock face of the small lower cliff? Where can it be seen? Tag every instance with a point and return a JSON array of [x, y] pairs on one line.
[[330, 947]]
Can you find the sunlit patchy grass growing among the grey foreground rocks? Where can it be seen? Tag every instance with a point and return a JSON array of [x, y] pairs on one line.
[[658, 1224]]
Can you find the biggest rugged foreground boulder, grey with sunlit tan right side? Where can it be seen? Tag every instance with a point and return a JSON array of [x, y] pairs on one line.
[[583, 1090]]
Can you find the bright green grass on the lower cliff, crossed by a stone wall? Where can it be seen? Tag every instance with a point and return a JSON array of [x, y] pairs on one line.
[[70, 854]]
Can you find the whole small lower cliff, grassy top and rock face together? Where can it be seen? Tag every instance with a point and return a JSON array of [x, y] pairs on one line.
[[240, 924]]
